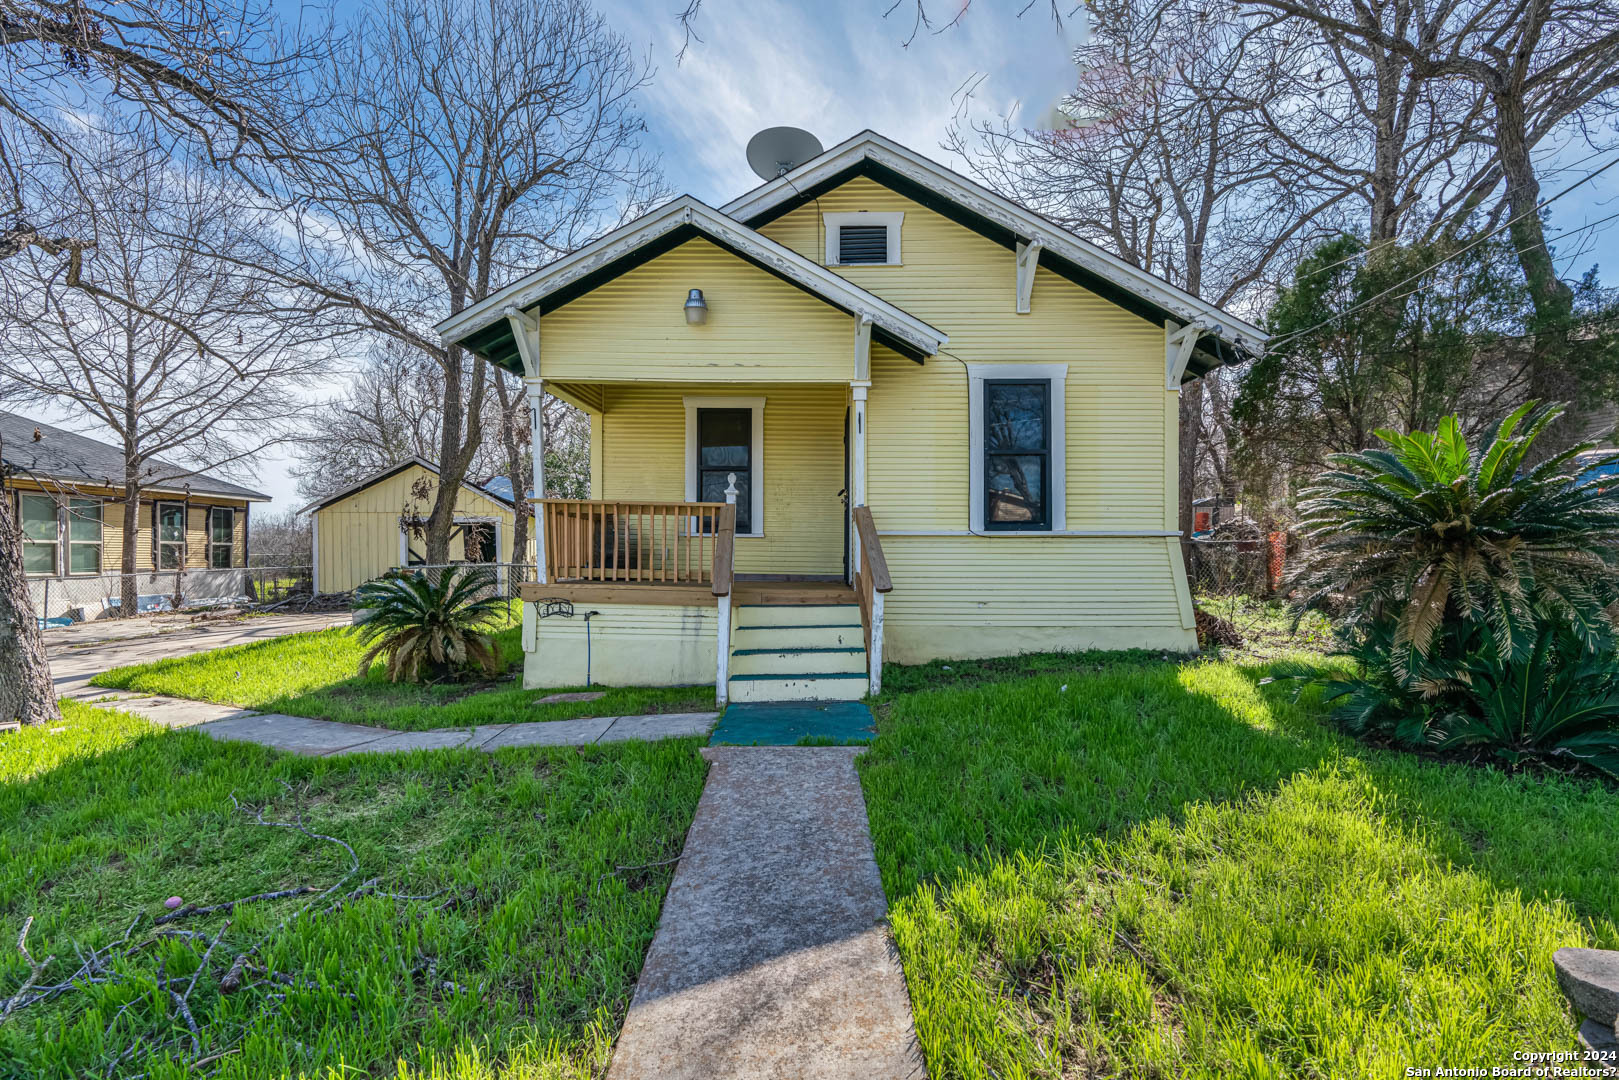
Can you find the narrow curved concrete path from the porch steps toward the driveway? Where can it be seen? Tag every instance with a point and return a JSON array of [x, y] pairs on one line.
[[323, 739]]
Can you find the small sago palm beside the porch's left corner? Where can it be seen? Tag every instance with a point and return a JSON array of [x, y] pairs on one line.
[[441, 626]]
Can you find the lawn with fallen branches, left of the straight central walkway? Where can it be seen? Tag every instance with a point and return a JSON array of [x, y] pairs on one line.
[[540, 914]]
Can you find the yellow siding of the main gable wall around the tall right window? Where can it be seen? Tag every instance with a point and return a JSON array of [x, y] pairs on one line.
[[1120, 449]]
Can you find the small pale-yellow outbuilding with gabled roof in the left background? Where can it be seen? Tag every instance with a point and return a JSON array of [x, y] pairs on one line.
[[373, 527]]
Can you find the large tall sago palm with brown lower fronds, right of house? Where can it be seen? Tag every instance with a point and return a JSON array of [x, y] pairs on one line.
[[1429, 527]]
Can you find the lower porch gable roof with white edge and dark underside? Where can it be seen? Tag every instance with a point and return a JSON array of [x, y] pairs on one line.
[[487, 331]]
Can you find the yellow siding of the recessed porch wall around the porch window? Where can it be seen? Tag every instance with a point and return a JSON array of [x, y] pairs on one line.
[[644, 459]]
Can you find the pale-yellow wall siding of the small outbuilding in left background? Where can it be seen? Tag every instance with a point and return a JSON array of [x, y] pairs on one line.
[[359, 538]]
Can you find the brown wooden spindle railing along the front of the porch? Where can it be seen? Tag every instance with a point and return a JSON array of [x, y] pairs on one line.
[[595, 540]]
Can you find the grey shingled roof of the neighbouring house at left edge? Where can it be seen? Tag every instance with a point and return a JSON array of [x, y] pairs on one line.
[[70, 459]]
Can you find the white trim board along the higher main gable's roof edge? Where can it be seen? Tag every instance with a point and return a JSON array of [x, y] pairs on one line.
[[985, 203]]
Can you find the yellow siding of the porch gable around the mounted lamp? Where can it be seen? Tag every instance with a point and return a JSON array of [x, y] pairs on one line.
[[760, 330]]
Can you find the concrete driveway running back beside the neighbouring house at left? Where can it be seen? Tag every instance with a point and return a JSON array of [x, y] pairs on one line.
[[75, 658]]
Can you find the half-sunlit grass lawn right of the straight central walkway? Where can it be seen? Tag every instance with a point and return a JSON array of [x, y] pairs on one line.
[[1124, 867]]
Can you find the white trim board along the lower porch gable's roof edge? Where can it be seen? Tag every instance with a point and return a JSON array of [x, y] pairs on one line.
[[681, 213]]
